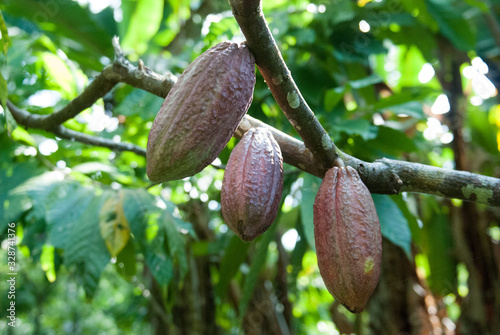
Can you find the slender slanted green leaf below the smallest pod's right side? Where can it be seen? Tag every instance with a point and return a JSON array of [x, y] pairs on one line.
[[258, 262]]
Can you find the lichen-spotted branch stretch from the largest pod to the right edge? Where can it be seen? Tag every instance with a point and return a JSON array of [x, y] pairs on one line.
[[387, 176]]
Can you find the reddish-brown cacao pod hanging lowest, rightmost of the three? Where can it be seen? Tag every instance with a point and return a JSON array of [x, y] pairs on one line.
[[348, 239]]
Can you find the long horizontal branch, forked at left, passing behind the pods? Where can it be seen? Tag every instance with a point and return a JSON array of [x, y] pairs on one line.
[[382, 176]]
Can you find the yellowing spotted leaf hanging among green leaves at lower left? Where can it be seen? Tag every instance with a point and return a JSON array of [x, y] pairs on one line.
[[114, 227]]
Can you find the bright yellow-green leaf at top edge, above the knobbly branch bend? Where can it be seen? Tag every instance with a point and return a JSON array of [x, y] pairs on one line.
[[144, 24]]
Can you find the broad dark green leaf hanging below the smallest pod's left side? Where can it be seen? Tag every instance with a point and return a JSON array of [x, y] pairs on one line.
[[234, 255]]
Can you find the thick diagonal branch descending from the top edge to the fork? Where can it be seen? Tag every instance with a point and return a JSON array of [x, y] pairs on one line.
[[274, 70]]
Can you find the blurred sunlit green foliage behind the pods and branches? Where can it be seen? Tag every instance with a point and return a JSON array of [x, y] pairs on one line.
[[100, 252]]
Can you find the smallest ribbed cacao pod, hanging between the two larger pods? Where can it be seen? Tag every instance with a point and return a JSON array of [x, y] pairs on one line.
[[252, 184]]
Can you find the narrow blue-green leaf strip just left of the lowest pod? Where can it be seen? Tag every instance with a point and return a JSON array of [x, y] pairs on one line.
[[309, 189]]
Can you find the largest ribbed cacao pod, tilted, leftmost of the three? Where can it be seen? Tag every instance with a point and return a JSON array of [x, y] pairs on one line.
[[201, 112]]
